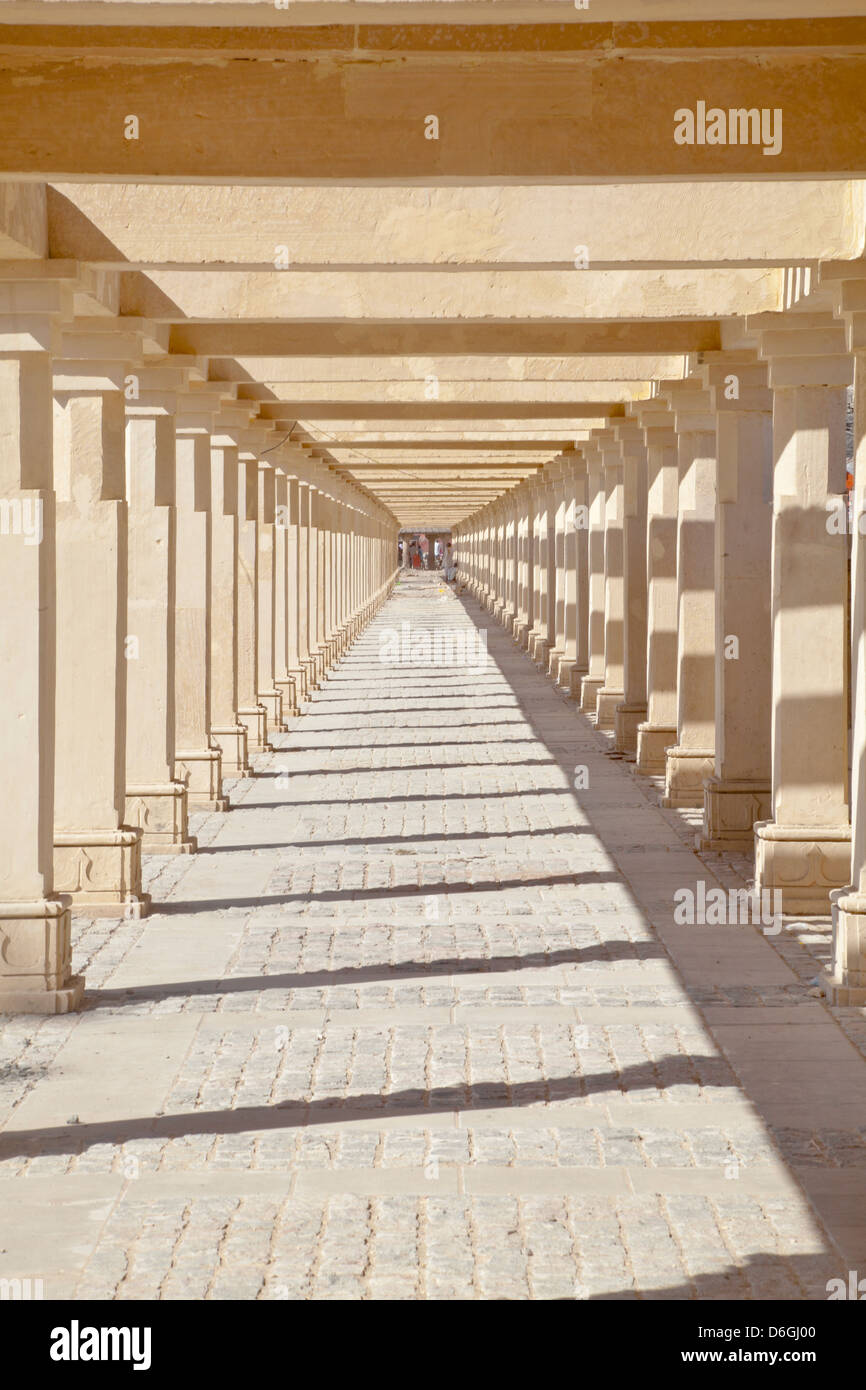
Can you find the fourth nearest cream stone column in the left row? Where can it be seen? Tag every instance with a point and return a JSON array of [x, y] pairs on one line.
[[197, 760]]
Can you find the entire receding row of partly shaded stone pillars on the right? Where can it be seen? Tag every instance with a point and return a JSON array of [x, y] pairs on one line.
[[694, 576]]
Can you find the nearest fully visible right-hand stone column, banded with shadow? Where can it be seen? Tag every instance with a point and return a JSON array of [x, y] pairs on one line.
[[806, 850]]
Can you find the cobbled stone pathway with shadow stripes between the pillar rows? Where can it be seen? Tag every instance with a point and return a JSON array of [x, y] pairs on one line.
[[418, 1024]]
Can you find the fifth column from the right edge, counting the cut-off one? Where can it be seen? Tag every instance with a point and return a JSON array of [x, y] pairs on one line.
[[660, 730]]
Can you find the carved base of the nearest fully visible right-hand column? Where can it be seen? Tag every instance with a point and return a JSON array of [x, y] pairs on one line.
[[804, 864]]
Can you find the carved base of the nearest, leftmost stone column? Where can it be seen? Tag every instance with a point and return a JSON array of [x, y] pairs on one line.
[[37, 958]]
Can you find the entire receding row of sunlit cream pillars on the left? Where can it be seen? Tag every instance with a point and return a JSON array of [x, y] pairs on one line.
[[174, 584]]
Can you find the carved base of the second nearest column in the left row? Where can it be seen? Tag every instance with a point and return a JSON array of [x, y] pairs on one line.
[[101, 872]]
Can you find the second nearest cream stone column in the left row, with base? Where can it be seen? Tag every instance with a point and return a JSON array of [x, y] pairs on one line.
[[98, 858]]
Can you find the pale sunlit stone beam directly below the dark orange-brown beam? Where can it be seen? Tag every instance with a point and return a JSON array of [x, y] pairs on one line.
[[137, 226]]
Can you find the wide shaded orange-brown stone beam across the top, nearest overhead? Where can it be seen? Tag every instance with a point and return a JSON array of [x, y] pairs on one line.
[[579, 102]]
